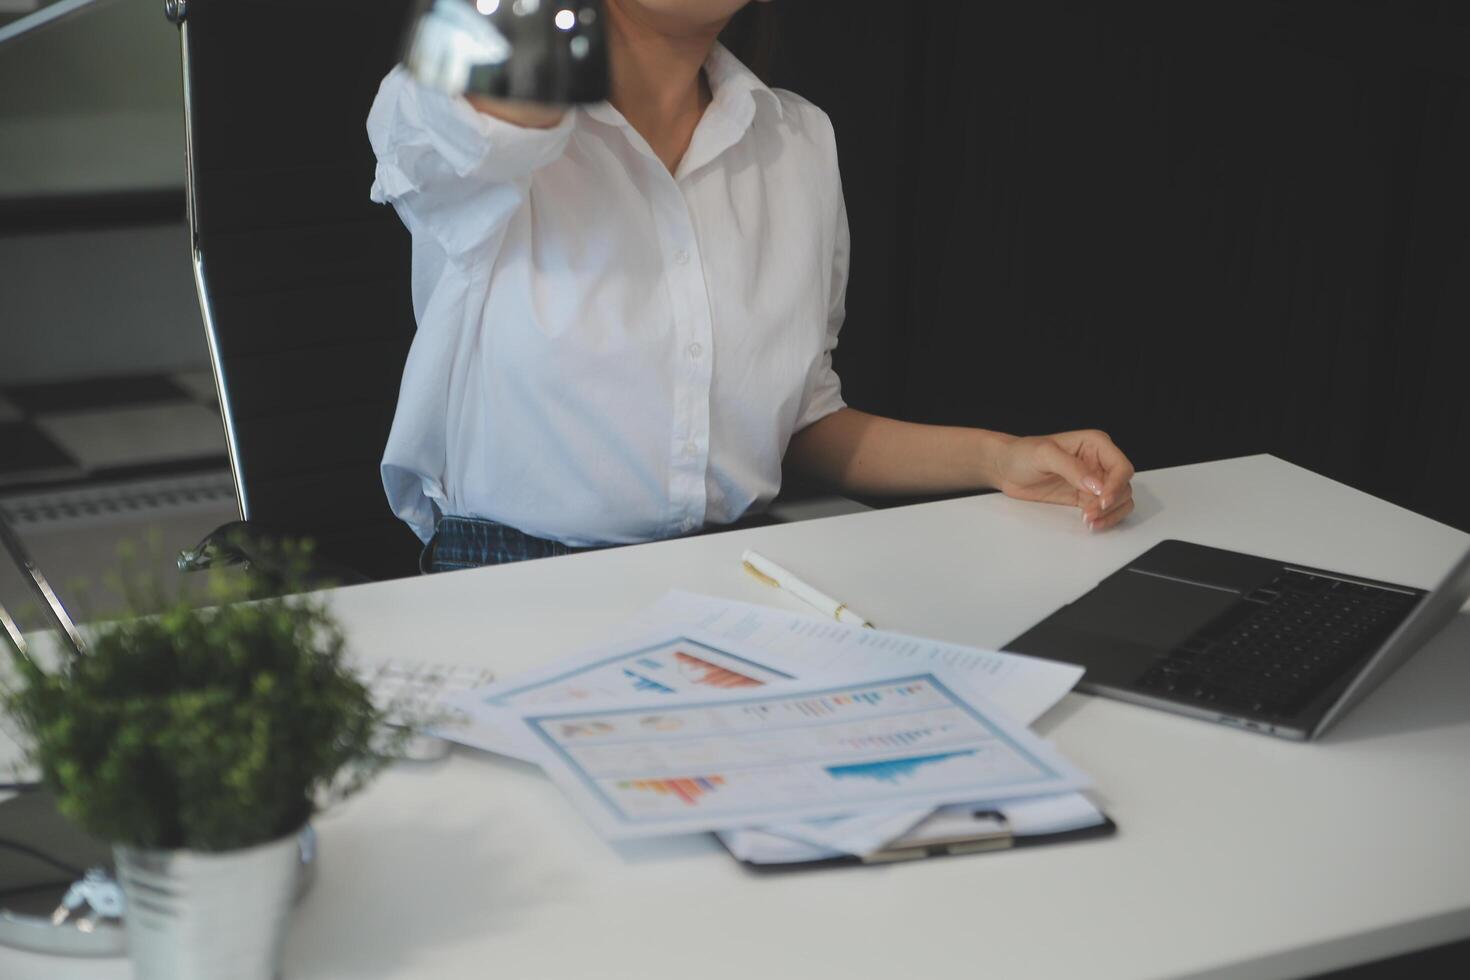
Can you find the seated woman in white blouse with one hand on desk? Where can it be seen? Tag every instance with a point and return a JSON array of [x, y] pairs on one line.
[[627, 314]]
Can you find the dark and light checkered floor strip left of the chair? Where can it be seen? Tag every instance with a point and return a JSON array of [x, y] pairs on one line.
[[108, 428]]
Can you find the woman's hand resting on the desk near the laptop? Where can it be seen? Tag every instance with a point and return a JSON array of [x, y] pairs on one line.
[[1080, 469]]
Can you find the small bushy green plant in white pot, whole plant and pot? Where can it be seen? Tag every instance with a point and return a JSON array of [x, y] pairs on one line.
[[199, 744]]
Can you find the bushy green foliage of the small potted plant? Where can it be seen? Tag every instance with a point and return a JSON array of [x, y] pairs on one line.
[[205, 729]]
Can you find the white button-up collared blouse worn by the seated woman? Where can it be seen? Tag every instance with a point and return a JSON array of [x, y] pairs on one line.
[[611, 353]]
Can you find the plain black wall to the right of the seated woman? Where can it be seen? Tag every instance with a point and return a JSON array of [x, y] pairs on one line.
[[1208, 228]]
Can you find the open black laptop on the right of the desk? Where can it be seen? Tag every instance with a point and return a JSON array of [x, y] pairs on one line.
[[1266, 646]]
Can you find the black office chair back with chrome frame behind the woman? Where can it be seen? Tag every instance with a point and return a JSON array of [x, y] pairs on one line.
[[304, 283]]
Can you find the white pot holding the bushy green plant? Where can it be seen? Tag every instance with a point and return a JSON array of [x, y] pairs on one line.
[[201, 916]]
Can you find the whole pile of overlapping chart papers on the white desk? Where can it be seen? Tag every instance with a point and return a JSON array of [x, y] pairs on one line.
[[796, 740]]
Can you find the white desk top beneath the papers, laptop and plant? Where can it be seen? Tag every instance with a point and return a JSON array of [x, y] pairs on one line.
[[1238, 856]]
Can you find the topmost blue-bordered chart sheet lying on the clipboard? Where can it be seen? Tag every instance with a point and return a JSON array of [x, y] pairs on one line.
[[796, 753]]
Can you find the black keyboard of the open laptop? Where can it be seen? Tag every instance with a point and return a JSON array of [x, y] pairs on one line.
[[1283, 647]]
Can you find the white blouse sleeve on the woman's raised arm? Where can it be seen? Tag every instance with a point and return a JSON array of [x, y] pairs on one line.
[[453, 174]]
